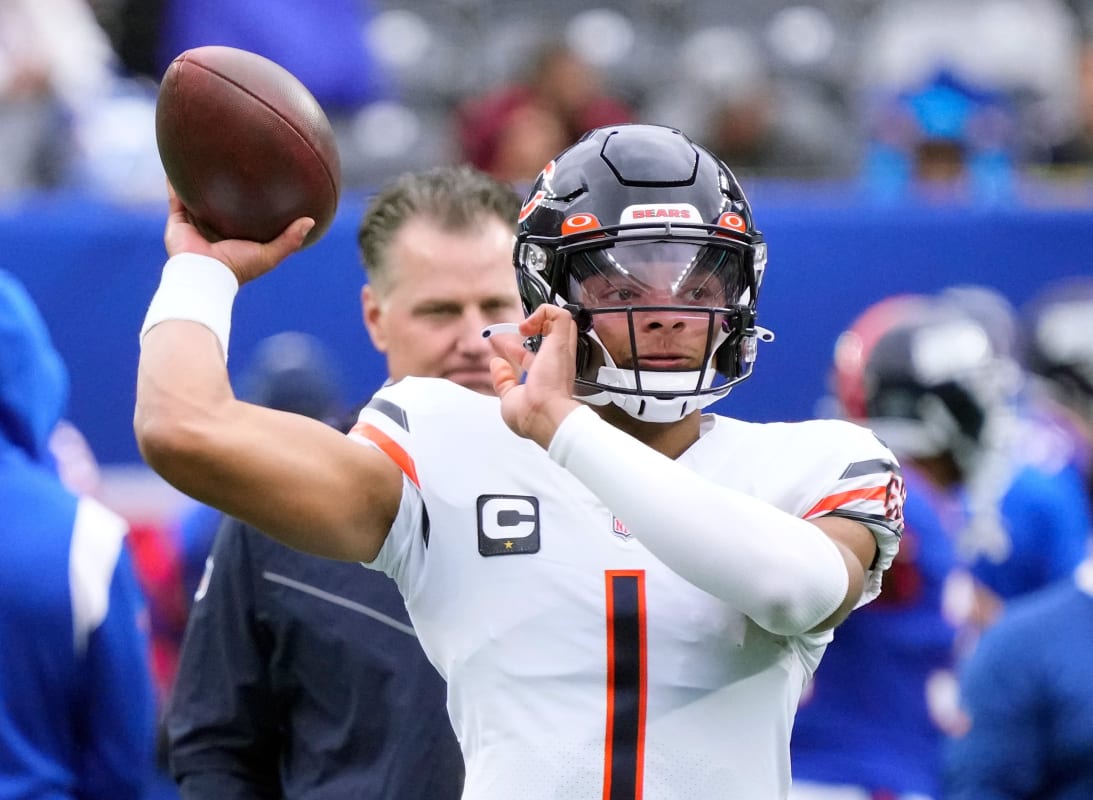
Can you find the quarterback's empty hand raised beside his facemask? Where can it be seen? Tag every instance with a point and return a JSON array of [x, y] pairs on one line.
[[534, 409]]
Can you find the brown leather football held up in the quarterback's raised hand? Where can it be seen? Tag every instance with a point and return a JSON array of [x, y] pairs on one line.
[[245, 145]]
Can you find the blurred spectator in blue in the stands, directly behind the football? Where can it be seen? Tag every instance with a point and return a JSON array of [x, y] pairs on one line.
[[323, 43]]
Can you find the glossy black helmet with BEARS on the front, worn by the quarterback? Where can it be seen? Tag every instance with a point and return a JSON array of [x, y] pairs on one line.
[[634, 221]]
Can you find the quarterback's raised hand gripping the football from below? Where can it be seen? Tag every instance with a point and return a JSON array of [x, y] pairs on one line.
[[246, 260]]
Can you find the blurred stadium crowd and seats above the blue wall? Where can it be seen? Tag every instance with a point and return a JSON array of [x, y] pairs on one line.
[[869, 90]]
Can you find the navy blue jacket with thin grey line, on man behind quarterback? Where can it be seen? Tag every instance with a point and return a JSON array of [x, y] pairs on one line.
[[301, 678]]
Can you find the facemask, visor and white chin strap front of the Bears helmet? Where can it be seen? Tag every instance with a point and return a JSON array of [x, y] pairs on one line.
[[667, 322]]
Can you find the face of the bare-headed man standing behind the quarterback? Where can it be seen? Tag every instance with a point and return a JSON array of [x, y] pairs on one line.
[[445, 288]]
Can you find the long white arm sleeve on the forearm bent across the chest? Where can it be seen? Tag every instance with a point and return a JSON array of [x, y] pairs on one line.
[[781, 571]]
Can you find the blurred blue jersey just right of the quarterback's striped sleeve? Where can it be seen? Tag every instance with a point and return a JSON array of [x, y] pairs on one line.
[[867, 720]]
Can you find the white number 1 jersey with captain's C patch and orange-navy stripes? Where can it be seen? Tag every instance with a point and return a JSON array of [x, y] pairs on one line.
[[579, 666]]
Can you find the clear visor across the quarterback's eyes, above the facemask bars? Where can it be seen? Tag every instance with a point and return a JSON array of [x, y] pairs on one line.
[[657, 274]]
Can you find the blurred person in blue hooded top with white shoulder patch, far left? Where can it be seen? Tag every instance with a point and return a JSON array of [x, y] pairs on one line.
[[77, 708]]
